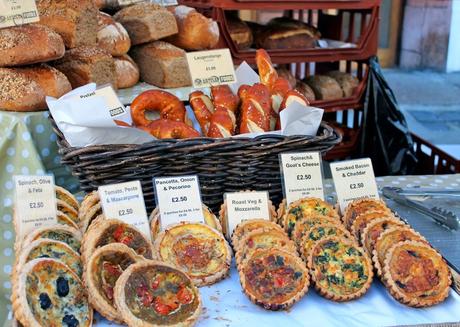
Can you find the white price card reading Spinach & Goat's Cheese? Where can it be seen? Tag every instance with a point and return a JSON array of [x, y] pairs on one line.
[[302, 175]]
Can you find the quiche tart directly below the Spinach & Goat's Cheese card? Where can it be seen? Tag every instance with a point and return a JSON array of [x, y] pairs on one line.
[[306, 207]]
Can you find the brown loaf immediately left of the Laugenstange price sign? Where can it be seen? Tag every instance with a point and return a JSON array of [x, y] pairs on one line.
[[162, 64]]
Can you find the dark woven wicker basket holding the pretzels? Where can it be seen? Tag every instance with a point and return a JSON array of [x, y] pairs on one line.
[[223, 165]]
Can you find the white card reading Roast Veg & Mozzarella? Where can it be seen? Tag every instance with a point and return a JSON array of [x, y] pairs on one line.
[[244, 206]]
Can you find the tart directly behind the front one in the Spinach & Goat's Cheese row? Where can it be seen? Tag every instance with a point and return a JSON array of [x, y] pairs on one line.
[[318, 232]]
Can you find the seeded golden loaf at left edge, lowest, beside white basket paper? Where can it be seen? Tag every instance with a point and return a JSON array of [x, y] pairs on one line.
[[25, 89]]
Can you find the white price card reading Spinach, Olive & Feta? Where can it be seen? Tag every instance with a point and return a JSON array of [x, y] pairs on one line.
[[34, 203]]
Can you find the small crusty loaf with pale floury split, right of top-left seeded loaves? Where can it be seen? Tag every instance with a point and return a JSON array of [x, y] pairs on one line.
[[112, 36]]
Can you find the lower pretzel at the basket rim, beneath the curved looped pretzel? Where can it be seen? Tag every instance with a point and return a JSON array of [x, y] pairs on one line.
[[170, 129]]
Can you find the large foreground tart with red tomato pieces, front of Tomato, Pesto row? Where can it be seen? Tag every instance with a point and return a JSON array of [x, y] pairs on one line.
[[152, 293]]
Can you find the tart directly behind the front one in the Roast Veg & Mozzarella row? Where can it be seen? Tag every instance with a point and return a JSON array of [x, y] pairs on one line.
[[263, 238]]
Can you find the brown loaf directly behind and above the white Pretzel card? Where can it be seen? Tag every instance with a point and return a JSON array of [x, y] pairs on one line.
[[84, 65]]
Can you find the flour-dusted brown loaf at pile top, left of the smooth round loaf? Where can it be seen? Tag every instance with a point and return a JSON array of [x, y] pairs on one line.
[[146, 22]]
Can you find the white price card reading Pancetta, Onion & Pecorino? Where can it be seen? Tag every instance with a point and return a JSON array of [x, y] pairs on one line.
[[178, 199]]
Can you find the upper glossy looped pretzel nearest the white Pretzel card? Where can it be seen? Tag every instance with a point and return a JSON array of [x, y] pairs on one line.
[[169, 106]]
